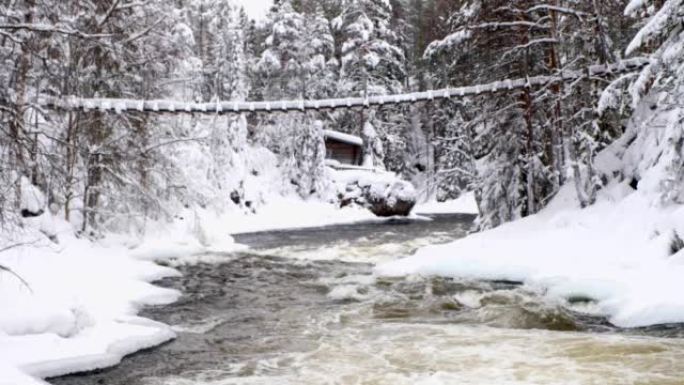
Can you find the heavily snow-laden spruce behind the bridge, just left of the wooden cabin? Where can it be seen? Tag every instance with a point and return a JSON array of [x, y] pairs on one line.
[[298, 55]]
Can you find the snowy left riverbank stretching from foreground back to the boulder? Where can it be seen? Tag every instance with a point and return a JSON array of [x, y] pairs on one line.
[[79, 311]]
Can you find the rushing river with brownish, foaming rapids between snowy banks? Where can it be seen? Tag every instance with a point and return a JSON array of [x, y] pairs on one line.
[[302, 307]]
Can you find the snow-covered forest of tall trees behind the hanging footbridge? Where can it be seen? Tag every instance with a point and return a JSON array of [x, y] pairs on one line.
[[514, 149]]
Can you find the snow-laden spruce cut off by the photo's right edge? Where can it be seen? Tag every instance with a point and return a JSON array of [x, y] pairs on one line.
[[654, 140]]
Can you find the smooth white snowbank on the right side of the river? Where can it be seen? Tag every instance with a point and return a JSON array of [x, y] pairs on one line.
[[616, 252]]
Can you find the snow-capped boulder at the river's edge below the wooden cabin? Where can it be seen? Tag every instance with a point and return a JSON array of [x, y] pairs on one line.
[[383, 193]]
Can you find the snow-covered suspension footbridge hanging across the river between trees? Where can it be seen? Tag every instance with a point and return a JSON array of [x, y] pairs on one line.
[[170, 106]]
